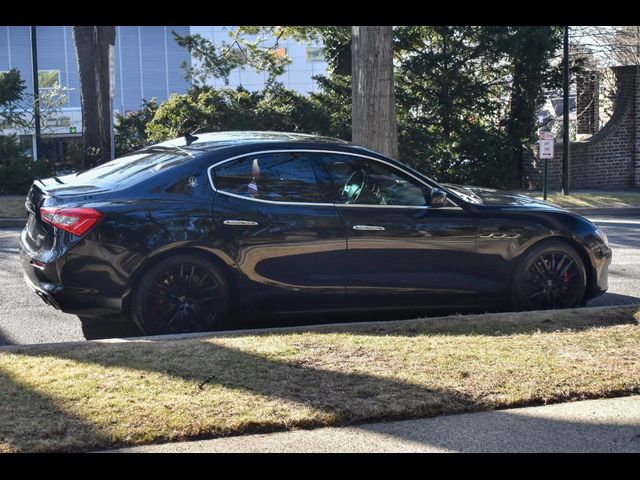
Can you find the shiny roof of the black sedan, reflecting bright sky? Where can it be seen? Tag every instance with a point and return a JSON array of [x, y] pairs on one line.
[[215, 140]]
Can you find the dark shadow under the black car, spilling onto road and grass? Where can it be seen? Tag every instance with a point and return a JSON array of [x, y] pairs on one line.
[[423, 322]]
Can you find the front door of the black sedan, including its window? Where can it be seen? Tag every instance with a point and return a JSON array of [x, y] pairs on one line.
[[400, 251]]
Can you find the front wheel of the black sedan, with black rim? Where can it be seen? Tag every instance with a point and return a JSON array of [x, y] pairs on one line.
[[550, 275]]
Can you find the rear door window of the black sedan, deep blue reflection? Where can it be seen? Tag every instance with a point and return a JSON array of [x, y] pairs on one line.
[[283, 177]]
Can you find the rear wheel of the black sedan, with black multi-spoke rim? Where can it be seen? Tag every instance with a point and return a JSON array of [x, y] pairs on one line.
[[182, 293]]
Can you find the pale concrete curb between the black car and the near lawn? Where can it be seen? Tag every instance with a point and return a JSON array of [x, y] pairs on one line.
[[342, 327]]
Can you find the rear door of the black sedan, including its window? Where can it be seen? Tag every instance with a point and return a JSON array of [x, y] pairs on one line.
[[288, 243]]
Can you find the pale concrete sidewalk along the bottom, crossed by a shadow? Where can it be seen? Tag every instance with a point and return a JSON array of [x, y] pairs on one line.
[[608, 425]]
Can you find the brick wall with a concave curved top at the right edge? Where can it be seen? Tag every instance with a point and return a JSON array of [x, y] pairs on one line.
[[610, 159]]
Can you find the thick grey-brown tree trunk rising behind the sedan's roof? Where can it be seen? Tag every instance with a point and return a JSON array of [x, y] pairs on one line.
[[374, 106]]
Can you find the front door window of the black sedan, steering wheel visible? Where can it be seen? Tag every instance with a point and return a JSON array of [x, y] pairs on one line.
[[361, 181]]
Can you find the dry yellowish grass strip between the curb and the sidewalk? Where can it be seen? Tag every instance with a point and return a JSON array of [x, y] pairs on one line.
[[99, 395]]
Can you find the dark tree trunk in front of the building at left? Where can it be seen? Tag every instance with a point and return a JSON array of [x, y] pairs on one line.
[[92, 49]]
